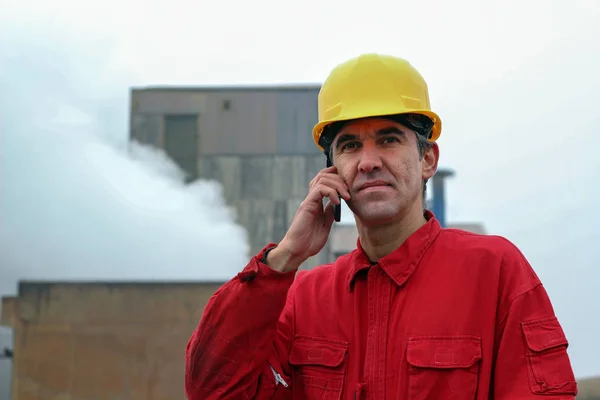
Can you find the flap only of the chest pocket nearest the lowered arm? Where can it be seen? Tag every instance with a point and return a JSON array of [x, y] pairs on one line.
[[444, 352]]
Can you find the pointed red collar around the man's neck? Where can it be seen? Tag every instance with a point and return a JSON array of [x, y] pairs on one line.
[[400, 263]]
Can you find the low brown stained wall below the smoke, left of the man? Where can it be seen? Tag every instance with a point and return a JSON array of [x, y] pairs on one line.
[[103, 341]]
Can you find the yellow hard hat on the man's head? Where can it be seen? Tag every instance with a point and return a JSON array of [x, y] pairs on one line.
[[373, 85]]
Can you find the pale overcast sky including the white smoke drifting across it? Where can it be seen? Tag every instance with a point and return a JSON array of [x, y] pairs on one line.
[[515, 82]]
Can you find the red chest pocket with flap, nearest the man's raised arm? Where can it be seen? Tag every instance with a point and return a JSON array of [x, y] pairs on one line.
[[319, 368]]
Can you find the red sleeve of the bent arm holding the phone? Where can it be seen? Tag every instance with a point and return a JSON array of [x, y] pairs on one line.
[[241, 345]]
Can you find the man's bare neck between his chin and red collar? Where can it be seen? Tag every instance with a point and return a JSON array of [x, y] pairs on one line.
[[380, 240]]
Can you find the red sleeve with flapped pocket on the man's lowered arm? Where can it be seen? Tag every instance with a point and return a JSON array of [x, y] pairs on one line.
[[531, 347]]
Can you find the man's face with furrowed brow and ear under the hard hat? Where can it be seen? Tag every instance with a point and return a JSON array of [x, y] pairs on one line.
[[380, 162]]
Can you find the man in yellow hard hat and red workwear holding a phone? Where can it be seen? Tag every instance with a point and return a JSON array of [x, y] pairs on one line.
[[415, 312]]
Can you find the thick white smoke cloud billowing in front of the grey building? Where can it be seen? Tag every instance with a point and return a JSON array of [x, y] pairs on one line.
[[77, 202]]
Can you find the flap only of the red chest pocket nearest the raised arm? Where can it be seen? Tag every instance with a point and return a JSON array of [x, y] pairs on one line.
[[313, 351]]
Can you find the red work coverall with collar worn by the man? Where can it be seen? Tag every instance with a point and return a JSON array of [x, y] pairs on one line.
[[448, 315]]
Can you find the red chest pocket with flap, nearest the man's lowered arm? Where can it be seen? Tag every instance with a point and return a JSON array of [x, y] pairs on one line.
[[443, 367]]
